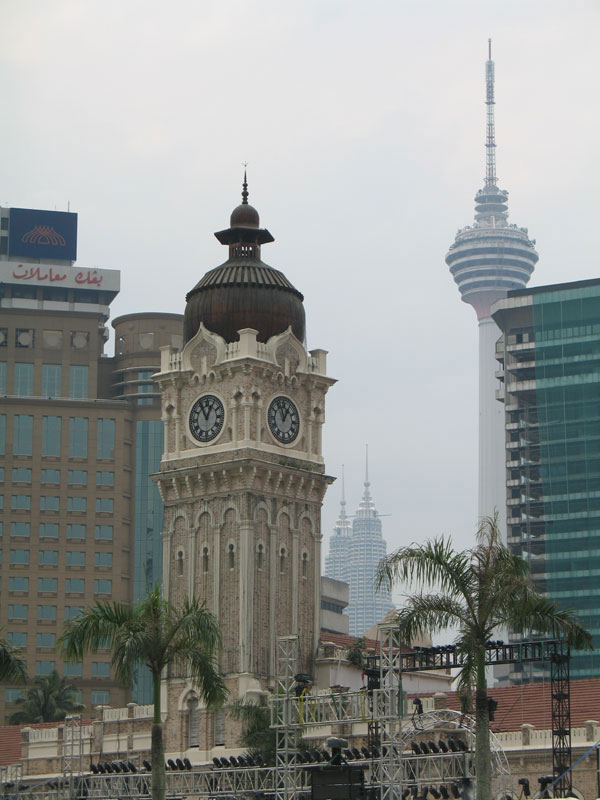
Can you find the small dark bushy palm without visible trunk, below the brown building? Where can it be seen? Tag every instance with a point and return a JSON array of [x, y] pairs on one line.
[[50, 699]]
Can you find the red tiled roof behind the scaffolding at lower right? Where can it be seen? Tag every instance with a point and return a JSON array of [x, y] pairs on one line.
[[532, 704]]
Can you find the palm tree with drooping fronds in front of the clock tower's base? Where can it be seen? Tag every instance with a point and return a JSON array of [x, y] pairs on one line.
[[155, 633]]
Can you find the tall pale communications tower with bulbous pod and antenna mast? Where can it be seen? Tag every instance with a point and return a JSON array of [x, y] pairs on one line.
[[487, 259]]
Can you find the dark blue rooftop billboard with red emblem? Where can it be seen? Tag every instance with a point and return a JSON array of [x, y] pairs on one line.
[[42, 234]]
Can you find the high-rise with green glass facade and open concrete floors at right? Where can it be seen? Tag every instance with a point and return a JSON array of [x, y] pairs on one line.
[[550, 369]]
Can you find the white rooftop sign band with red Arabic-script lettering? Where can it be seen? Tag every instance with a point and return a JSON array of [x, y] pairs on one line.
[[107, 280]]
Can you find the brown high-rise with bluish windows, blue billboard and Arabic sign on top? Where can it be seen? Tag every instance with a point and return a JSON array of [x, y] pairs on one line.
[[77, 437]]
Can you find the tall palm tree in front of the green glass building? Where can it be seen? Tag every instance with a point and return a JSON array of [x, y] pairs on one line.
[[477, 590]]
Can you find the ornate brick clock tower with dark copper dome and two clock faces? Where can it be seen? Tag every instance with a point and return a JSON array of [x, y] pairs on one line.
[[242, 476]]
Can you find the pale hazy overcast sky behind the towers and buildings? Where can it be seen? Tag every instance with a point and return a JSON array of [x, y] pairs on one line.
[[364, 126]]
